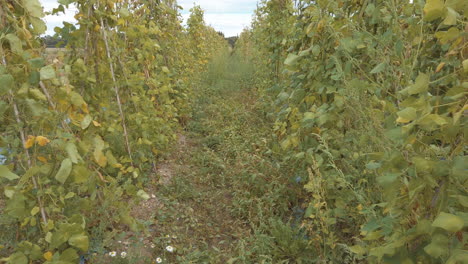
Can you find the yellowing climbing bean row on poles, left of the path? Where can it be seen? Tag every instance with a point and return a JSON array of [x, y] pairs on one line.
[[84, 131]]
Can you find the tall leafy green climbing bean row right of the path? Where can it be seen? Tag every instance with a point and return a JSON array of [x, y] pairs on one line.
[[370, 105]]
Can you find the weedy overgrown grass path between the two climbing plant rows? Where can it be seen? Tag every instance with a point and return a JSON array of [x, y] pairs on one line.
[[218, 196]]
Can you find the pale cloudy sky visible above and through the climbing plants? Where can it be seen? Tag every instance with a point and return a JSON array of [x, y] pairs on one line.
[[227, 16]]
